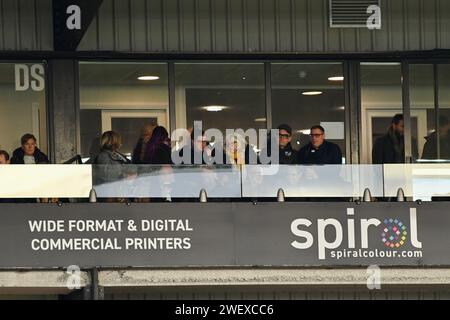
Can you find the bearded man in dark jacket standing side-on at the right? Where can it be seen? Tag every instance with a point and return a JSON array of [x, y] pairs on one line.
[[390, 148]]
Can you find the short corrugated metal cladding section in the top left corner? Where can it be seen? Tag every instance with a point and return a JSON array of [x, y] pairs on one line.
[[26, 25]]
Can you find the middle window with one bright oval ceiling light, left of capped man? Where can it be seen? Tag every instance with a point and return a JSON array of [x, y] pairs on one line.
[[221, 95]]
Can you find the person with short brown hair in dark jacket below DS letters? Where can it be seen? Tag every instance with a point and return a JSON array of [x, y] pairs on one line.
[[29, 153]]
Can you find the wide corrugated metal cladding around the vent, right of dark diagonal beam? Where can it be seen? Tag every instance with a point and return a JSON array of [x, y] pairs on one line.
[[262, 26]]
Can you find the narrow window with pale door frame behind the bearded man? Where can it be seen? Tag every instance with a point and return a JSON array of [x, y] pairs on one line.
[[381, 100]]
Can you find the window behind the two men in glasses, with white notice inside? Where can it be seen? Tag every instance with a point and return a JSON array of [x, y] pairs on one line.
[[306, 94]]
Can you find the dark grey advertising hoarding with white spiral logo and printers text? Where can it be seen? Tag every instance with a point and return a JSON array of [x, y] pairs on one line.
[[224, 234]]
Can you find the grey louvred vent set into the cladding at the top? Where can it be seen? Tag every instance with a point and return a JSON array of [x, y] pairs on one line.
[[350, 13]]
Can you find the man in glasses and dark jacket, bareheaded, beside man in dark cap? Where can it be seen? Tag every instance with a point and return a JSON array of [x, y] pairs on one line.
[[318, 150]]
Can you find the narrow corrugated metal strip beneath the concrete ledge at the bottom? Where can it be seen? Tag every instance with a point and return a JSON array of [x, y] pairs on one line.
[[285, 295]]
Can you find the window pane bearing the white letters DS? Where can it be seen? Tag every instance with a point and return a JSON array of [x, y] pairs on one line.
[[22, 104]]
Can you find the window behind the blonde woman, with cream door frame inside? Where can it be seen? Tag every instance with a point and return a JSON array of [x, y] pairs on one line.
[[122, 97]]
